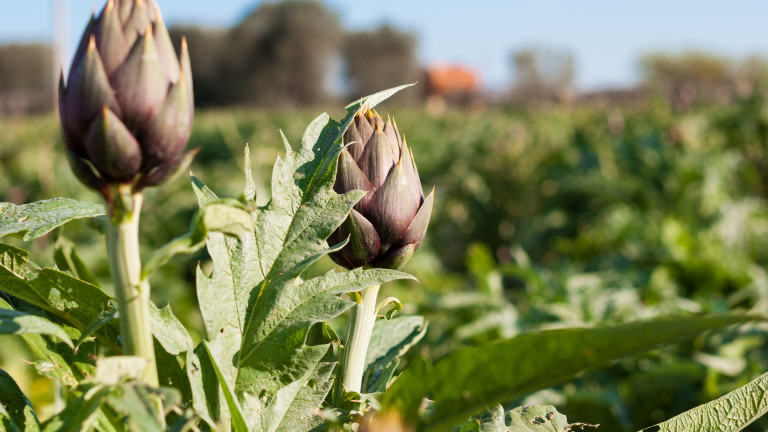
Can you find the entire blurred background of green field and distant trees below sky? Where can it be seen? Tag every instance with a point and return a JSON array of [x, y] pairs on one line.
[[553, 207]]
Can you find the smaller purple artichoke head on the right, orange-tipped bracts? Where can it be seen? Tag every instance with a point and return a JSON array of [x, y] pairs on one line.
[[389, 223]]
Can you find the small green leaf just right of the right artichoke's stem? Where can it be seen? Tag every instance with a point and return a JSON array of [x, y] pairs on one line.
[[390, 339]]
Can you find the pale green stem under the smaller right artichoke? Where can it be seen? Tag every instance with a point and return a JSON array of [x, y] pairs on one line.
[[359, 329]]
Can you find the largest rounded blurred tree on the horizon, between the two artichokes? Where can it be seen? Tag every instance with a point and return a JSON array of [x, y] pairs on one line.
[[280, 54]]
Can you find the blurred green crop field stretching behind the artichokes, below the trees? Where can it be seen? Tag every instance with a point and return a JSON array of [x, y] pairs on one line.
[[543, 218]]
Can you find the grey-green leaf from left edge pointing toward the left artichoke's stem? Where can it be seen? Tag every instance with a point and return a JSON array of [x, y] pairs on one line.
[[36, 219]]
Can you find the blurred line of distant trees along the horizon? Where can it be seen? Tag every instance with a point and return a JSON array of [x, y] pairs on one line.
[[296, 53]]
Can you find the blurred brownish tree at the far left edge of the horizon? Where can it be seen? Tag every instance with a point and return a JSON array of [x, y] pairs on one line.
[[25, 77]]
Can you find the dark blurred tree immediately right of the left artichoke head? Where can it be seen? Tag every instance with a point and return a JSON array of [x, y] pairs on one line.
[[206, 48]]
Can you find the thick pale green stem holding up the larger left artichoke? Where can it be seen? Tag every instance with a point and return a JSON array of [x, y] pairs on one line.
[[132, 294]]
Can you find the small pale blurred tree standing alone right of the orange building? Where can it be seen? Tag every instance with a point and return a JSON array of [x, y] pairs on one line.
[[543, 74]]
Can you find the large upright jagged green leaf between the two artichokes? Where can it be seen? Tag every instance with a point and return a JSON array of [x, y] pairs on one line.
[[256, 307]]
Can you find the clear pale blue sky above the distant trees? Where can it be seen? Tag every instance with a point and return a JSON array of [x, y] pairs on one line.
[[606, 37]]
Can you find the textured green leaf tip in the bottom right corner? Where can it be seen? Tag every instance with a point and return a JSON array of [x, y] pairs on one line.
[[730, 413]]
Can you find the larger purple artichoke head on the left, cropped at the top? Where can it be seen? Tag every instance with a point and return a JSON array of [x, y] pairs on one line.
[[127, 107]]
